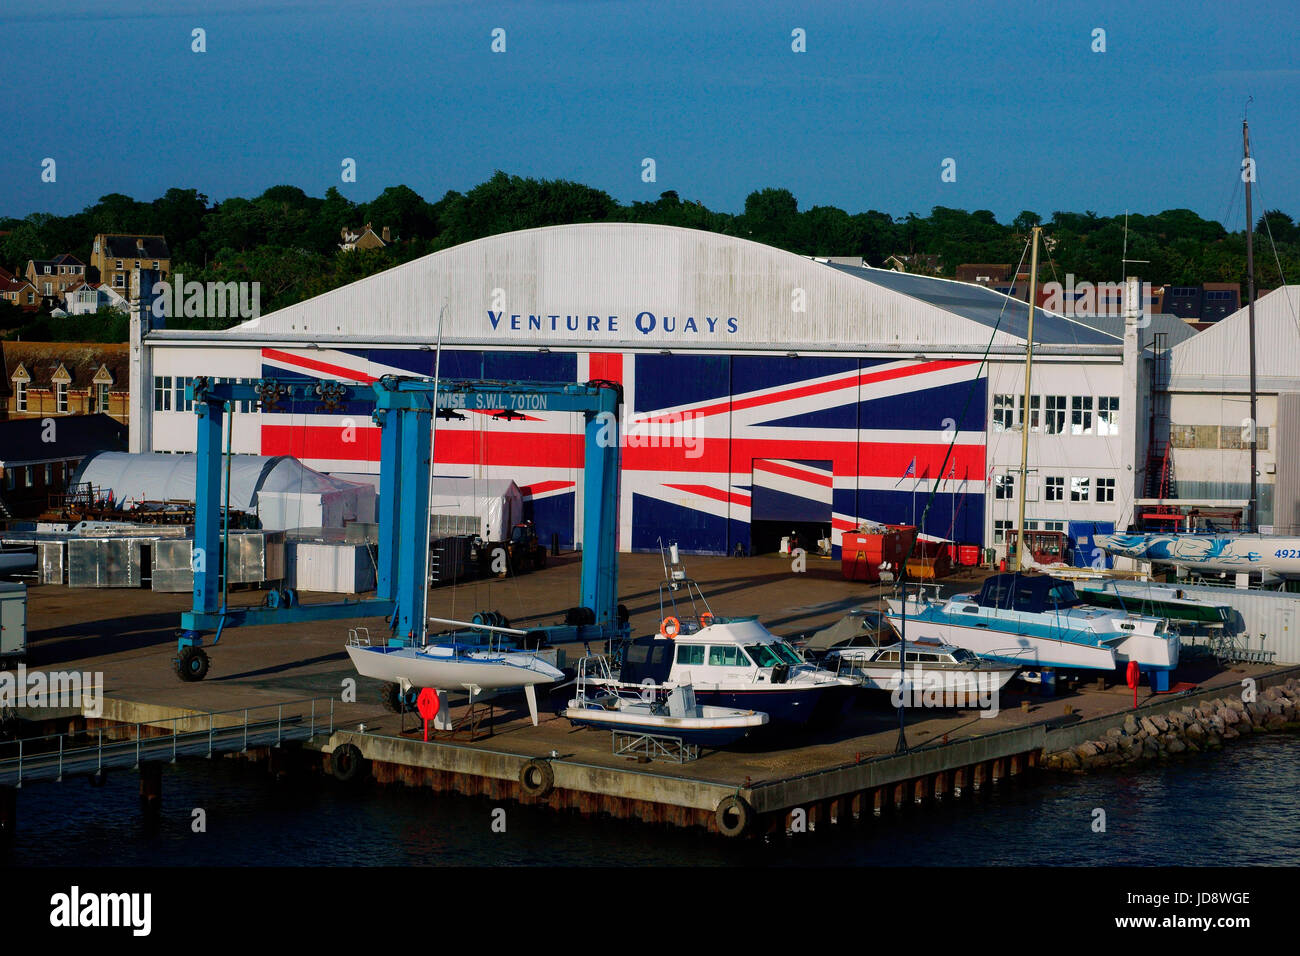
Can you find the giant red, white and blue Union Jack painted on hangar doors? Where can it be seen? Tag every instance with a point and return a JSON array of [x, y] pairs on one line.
[[712, 444]]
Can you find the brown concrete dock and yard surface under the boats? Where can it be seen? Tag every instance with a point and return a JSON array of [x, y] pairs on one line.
[[838, 776]]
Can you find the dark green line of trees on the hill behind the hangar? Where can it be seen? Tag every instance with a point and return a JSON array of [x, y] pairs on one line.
[[288, 241]]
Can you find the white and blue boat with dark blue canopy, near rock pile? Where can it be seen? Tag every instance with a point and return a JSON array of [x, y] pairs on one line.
[[1038, 622]]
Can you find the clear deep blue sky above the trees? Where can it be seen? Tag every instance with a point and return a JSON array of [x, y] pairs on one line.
[[712, 92]]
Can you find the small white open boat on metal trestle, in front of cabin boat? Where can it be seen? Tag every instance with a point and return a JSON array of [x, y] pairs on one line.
[[601, 700]]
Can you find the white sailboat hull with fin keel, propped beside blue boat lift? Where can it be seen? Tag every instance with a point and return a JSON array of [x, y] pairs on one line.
[[479, 668]]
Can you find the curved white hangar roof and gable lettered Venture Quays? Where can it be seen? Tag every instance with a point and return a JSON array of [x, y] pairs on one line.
[[638, 285]]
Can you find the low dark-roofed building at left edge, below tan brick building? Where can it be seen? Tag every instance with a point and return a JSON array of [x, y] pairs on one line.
[[40, 457]]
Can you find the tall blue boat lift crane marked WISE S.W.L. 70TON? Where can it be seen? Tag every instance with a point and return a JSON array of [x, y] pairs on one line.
[[405, 409]]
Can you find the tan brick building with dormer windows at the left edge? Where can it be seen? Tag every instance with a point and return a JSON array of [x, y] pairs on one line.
[[54, 379]]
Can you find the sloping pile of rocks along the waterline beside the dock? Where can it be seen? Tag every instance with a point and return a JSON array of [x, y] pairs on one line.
[[1190, 729]]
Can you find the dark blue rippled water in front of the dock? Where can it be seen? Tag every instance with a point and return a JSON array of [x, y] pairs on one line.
[[1232, 808]]
